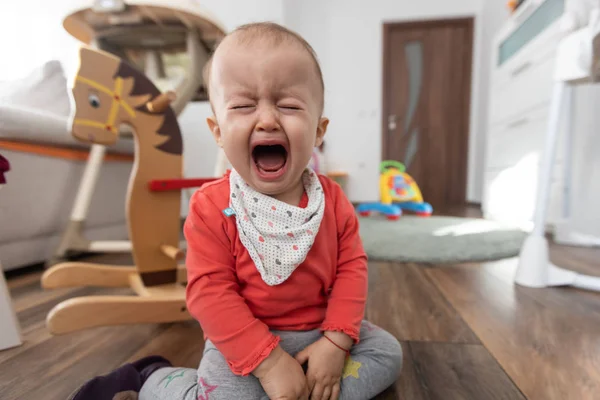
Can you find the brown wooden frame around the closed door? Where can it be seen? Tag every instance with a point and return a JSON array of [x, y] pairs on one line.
[[469, 23]]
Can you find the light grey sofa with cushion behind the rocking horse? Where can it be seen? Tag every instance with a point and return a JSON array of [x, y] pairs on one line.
[[36, 202]]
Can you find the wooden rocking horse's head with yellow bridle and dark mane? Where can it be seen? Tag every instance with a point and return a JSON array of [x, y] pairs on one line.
[[108, 92]]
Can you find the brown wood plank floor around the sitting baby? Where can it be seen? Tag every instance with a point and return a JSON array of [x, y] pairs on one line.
[[467, 332]]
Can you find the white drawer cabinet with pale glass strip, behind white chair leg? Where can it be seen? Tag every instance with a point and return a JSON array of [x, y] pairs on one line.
[[523, 62]]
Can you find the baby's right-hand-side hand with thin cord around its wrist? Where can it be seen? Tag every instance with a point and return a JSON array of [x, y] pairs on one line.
[[325, 365]]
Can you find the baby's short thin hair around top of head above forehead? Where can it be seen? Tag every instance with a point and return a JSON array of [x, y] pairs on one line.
[[274, 33]]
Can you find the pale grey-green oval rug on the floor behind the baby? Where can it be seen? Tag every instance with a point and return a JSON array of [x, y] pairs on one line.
[[439, 239]]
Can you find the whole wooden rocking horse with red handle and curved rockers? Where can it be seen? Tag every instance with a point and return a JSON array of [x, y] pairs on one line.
[[108, 92]]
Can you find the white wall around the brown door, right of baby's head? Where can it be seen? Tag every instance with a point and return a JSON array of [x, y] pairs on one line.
[[347, 35]]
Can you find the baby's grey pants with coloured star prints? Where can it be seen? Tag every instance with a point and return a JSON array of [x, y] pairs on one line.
[[374, 365]]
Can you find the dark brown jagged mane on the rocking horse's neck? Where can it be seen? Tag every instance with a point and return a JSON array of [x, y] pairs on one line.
[[143, 86]]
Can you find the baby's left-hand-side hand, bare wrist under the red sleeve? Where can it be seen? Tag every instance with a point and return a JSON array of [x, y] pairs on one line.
[[282, 377]]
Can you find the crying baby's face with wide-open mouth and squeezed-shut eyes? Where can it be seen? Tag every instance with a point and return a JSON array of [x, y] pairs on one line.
[[267, 102]]
